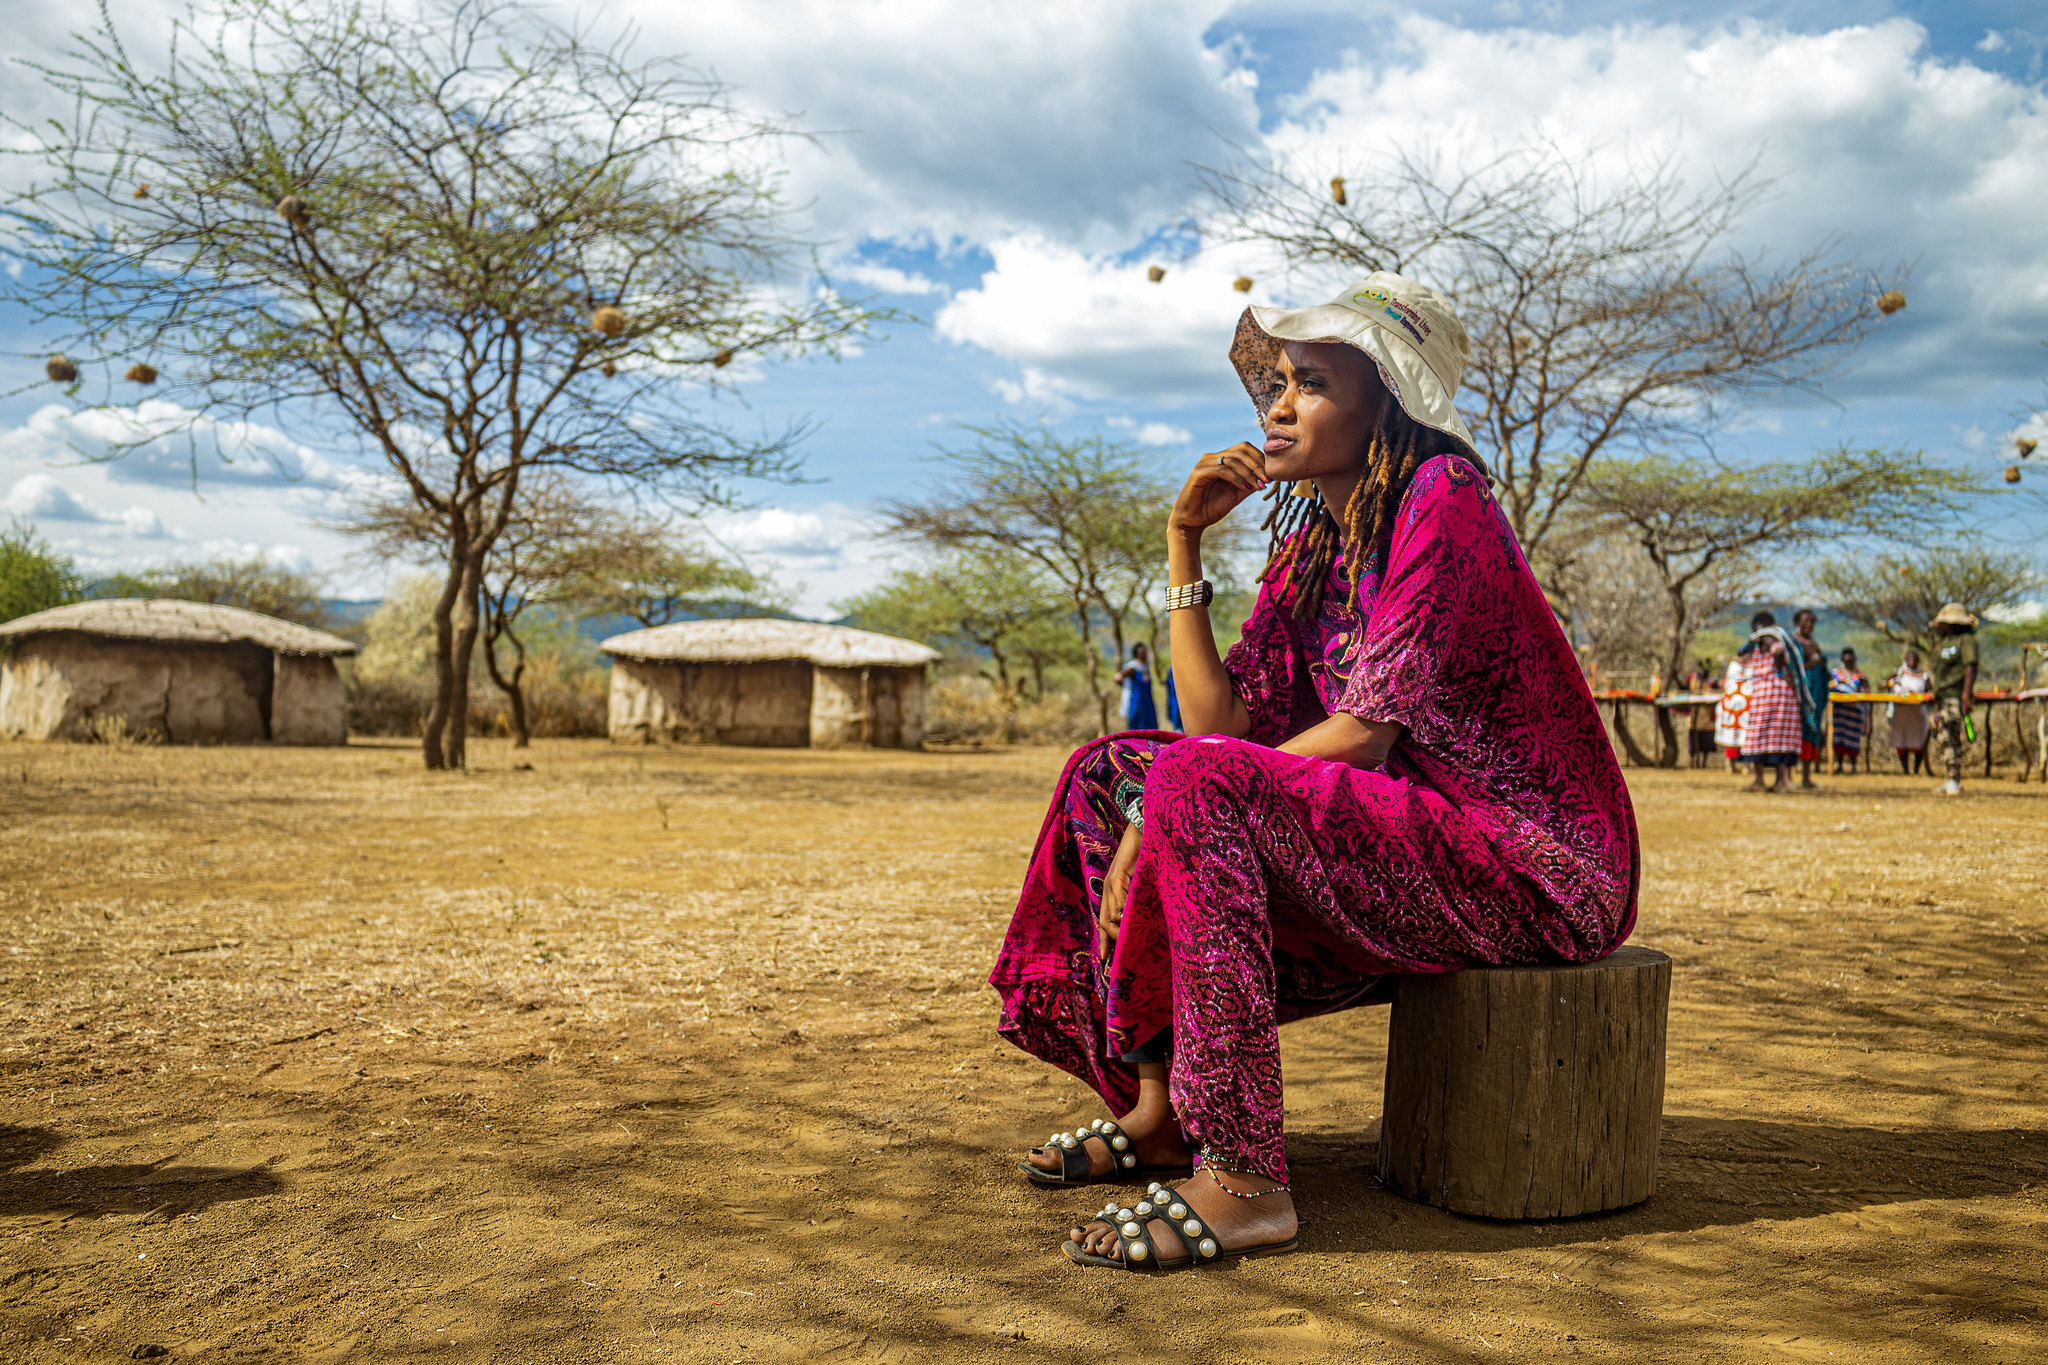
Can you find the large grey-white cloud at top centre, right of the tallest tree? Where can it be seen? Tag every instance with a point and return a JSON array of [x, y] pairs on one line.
[[939, 122]]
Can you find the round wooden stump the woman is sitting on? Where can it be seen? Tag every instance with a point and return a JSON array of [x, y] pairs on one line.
[[1531, 1092]]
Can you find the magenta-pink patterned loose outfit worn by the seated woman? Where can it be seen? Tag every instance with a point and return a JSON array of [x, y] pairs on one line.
[[1273, 887]]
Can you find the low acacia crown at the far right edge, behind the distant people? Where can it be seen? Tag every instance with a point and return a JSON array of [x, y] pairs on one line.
[[1900, 592]]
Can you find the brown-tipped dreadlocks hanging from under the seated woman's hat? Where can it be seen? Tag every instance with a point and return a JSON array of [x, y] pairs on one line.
[[1306, 537]]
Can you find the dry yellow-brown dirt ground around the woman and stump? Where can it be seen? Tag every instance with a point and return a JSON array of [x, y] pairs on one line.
[[687, 1055]]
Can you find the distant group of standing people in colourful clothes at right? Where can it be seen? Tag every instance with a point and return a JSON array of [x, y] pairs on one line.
[[1775, 705]]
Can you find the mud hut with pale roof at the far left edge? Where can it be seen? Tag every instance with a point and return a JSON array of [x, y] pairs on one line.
[[187, 672]]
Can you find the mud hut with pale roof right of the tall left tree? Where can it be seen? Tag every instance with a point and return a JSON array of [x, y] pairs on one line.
[[767, 682]]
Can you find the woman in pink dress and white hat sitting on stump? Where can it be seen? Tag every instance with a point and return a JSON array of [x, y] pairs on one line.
[[1398, 770]]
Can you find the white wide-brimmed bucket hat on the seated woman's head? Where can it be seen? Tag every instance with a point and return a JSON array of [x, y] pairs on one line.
[[1408, 328]]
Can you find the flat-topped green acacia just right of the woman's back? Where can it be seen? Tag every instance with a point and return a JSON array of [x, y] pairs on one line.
[[1701, 527]]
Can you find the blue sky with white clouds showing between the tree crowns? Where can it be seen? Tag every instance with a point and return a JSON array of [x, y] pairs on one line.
[[1007, 173]]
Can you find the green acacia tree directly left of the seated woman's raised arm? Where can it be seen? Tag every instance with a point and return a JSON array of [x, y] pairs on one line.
[[1089, 513]]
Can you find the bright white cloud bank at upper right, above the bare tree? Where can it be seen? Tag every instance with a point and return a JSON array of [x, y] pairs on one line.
[[1906, 157]]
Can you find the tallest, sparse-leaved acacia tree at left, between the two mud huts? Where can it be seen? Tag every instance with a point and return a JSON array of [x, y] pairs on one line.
[[460, 236]]
